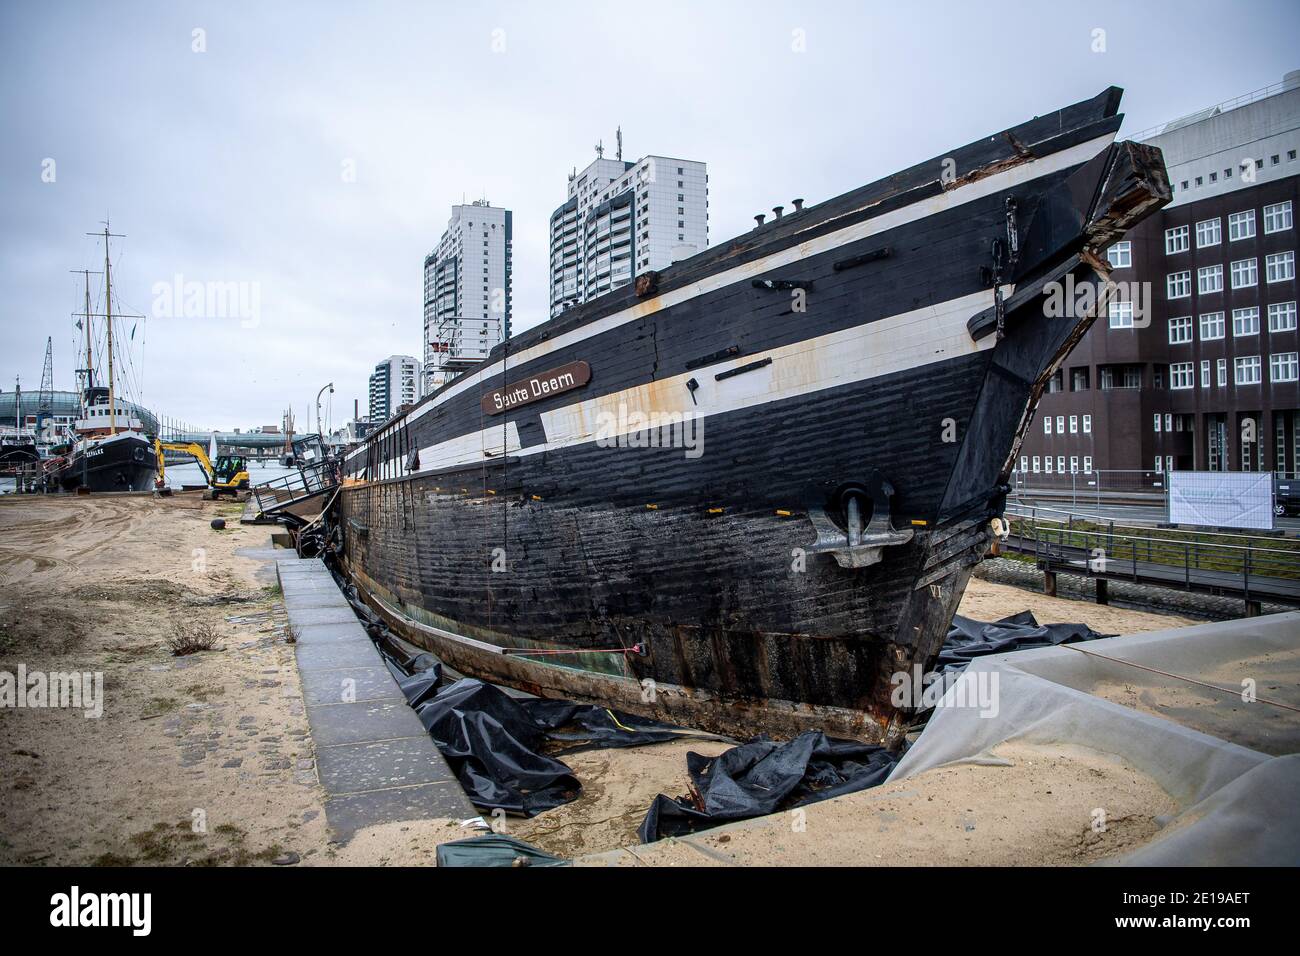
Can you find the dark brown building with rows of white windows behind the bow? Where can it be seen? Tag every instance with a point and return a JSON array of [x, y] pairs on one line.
[[1197, 365]]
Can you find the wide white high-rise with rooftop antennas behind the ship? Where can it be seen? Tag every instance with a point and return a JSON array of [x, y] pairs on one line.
[[625, 219]]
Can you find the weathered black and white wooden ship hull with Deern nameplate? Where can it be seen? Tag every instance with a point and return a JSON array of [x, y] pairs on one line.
[[852, 384]]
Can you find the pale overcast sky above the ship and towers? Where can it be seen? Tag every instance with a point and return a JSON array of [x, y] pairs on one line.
[[313, 152]]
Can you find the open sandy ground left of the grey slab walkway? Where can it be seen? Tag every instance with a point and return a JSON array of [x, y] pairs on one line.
[[197, 760]]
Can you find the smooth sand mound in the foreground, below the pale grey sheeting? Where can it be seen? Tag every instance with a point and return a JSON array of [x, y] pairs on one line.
[[1038, 807]]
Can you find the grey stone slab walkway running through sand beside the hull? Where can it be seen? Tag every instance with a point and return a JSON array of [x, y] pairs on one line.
[[376, 762]]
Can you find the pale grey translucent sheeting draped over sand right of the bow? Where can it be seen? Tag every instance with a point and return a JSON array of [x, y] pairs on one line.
[[1237, 804]]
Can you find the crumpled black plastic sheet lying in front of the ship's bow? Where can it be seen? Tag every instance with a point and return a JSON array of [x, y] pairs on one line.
[[764, 777]]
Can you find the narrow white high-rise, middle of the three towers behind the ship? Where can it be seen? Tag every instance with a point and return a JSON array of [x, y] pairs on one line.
[[467, 292]]
